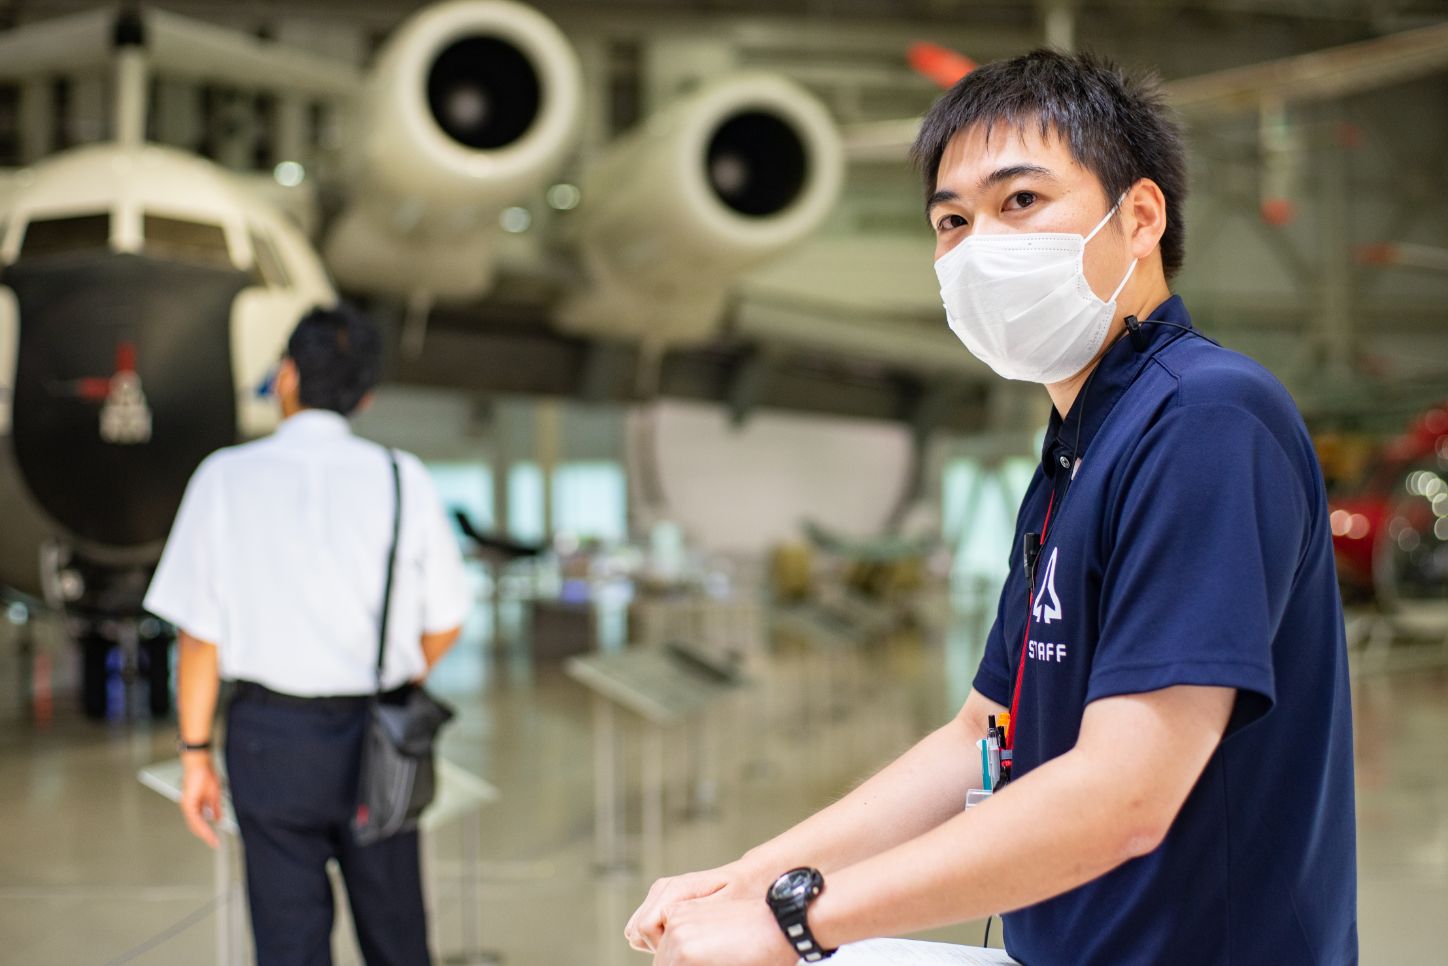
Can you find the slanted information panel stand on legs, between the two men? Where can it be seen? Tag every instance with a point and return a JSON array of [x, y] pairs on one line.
[[664, 687]]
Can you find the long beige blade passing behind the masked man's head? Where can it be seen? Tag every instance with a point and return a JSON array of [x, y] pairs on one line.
[[1318, 76]]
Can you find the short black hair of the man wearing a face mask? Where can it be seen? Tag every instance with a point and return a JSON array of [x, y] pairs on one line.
[[1117, 127]]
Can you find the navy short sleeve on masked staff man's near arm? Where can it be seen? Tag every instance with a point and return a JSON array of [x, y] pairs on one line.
[[1205, 541]]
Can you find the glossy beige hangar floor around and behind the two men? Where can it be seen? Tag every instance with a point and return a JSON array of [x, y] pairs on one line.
[[98, 870]]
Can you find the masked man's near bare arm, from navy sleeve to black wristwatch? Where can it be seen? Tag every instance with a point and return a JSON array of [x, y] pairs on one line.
[[1077, 818]]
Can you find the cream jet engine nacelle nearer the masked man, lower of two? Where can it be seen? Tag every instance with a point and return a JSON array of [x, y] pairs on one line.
[[723, 179]]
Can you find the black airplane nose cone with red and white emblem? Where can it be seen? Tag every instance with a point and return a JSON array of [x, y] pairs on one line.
[[124, 385]]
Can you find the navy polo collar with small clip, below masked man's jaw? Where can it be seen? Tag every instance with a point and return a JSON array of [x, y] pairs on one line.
[[1069, 438]]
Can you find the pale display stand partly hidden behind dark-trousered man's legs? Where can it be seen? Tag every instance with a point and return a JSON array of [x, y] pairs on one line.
[[461, 797]]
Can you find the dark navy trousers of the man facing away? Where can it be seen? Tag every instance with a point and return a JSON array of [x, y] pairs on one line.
[[293, 773]]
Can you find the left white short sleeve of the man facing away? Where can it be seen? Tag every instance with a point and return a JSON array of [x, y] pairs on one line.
[[186, 587]]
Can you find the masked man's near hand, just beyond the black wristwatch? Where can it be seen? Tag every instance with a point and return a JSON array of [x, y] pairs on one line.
[[725, 933]]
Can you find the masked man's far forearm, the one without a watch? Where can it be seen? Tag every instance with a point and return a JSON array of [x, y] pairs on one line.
[[919, 791]]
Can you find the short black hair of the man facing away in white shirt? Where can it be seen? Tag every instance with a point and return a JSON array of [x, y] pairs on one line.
[[338, 354]]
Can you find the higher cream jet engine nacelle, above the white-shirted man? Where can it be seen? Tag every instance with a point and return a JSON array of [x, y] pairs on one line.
[[471, 105]]
